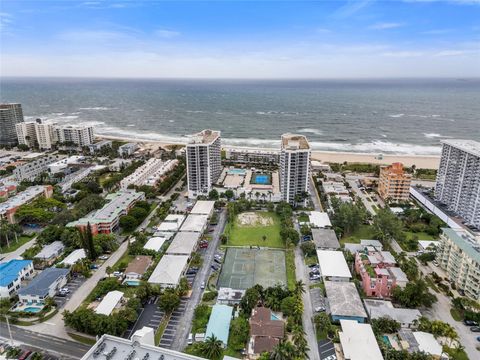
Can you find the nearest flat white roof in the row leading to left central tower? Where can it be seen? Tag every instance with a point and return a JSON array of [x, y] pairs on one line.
[[169, 270]]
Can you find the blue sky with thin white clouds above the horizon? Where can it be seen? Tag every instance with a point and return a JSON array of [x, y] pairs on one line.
[[240, 39]]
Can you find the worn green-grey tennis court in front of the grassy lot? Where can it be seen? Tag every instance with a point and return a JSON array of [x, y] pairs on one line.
[[245, 267]]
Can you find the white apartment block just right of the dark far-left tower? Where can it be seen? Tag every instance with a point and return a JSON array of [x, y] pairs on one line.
[[37, 133]]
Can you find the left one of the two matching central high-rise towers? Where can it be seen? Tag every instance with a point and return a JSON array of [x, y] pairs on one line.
[[204, 163]]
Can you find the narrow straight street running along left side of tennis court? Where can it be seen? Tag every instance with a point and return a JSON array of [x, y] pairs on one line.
[[185, 323]]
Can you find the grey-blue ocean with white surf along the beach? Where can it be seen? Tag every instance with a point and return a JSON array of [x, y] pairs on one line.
[[371, 116]]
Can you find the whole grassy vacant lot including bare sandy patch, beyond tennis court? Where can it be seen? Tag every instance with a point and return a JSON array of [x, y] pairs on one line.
[[249, 229]]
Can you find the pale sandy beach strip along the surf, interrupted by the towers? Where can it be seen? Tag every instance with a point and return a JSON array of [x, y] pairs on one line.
[[420, 161]]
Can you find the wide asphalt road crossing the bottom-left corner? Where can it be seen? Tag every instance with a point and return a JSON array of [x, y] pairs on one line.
[[65, 349]]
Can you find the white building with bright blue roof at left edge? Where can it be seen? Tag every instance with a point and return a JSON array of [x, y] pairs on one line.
[[13, 273]]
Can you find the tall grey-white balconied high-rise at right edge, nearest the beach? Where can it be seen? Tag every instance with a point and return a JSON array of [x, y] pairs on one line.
[[458, 179]]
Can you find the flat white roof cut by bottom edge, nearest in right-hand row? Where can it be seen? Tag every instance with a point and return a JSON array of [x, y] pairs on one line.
[[358, 341]]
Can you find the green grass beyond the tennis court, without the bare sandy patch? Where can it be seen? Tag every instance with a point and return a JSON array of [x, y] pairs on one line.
[[246, 235]]
